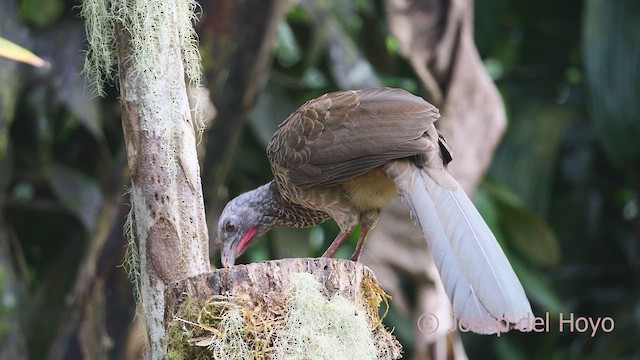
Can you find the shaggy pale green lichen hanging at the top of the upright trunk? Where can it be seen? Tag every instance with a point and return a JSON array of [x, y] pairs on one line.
[[152, 27]]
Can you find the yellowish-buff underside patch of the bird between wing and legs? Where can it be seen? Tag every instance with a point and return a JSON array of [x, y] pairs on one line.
[[372, 190]]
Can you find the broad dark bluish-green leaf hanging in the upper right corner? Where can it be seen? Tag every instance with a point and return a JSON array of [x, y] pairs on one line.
[[611, 53]]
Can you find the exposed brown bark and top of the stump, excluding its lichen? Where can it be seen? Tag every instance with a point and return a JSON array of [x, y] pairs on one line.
[[262, 291]]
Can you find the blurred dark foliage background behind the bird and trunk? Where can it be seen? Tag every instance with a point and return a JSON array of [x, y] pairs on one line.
[[561, 191]]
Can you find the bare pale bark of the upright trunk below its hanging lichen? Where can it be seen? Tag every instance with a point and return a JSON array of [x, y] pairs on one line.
[[166, 194]]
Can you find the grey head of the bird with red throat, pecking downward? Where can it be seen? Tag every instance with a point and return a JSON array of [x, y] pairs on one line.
[[242, 221]]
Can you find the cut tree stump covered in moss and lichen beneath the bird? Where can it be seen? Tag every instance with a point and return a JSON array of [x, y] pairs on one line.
[[312, 308]]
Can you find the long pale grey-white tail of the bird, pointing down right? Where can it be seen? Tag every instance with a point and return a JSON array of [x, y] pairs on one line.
[[475, 272]]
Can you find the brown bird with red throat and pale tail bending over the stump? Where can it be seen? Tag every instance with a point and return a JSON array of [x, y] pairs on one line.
[[344, 156]]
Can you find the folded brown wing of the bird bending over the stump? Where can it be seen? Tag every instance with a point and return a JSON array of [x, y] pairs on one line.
[[344, 134]]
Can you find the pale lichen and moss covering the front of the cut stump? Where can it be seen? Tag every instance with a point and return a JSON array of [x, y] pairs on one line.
[[300, 323]]
